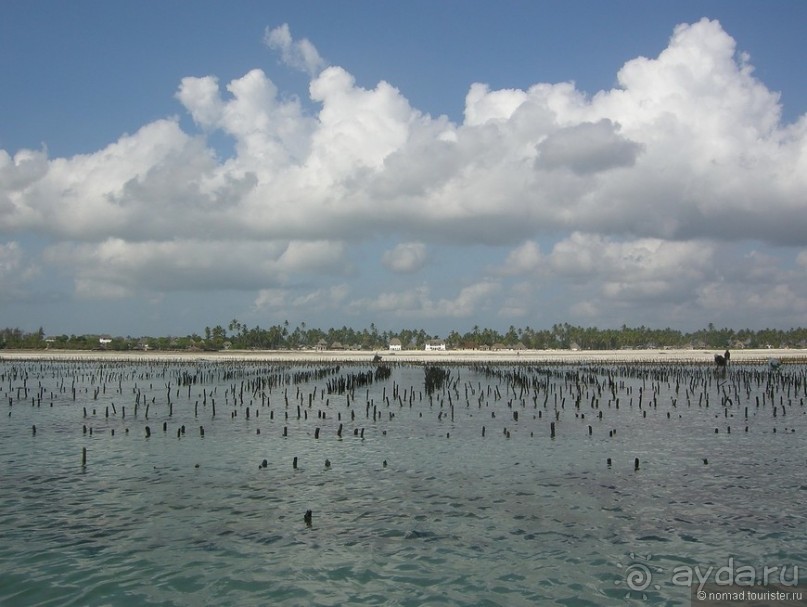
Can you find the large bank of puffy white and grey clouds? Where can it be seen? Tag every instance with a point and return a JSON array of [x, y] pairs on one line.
[[678, 188]]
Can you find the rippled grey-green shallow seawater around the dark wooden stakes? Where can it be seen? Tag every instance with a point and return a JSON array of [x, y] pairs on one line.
[[420, 510]]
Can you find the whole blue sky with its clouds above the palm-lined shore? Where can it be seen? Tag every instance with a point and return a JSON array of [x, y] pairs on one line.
[[169, 166]]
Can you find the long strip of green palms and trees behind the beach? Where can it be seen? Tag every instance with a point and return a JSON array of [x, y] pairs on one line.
[[281, 337]]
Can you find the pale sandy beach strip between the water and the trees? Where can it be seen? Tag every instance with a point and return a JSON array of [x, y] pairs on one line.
[[420, 356]]
